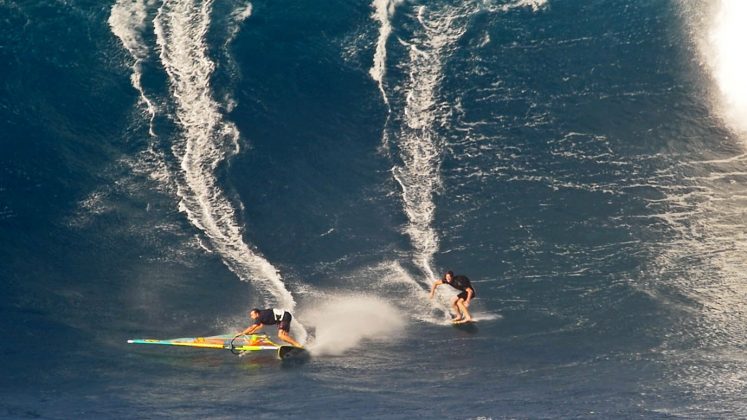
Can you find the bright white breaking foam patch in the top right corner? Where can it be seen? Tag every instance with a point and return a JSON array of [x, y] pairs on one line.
[[725, 53]]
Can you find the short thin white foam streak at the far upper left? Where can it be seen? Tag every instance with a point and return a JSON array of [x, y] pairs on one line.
[[128, 21]]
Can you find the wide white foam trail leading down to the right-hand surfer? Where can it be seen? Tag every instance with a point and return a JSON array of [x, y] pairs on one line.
[[418, 141]]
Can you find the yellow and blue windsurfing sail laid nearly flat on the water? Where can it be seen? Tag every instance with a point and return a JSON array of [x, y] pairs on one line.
[[237, 344]]
